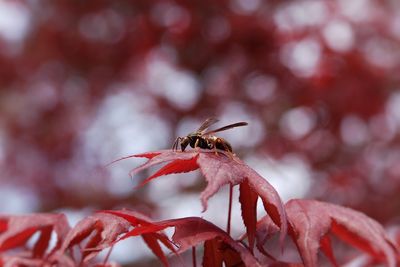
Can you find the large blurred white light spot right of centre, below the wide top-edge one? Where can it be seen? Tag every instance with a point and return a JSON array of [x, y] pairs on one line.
[[302, 57]]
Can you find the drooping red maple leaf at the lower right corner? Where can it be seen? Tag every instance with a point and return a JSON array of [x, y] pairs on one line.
[[311, 221]]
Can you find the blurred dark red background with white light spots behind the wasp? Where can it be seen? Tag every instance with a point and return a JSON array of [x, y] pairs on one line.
[[83, 83]]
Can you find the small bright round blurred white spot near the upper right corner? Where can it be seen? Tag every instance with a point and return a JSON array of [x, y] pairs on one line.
[[339, 35]]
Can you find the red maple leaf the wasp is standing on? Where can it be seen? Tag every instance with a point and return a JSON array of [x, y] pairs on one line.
[[221, 169]]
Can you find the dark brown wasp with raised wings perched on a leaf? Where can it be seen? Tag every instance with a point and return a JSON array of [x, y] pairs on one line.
[[202, 138]]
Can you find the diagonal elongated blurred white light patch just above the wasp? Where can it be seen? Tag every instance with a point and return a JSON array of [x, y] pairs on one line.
[[181, 88]]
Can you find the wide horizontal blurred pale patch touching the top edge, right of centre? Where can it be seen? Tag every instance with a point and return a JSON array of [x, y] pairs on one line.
[[299, 14]]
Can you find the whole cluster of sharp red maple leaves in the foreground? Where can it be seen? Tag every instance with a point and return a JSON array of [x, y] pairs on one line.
[[309, 223]]
